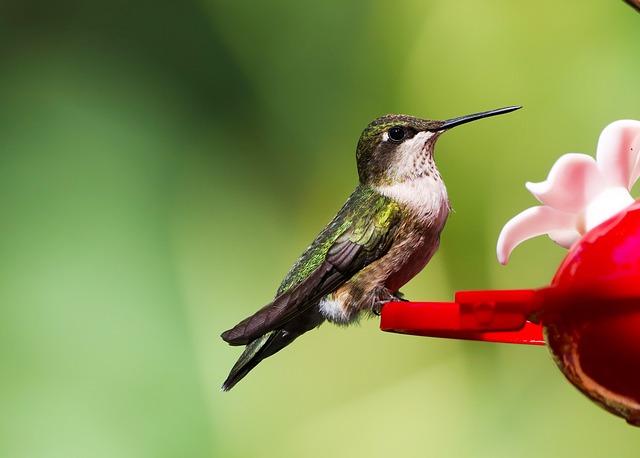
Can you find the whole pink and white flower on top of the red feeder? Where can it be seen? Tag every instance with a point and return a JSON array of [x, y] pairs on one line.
[[580, 192]]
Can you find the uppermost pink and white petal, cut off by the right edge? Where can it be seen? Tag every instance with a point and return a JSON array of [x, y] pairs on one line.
[[618, 151]]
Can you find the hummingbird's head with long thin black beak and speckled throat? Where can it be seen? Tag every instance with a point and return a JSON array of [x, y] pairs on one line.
[[397, 148]]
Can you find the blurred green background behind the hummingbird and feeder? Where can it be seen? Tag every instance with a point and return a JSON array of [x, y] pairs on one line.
[[162, 164]]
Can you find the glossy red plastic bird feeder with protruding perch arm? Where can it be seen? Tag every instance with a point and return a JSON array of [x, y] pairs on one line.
[[589, 316]]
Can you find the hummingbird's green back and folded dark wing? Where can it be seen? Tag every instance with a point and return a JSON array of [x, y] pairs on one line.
[[360, 233]]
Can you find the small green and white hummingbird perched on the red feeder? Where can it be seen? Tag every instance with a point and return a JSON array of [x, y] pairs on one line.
[[382, 237]]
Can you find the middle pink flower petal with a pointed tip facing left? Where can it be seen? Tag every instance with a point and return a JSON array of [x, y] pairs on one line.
[[572, 182]]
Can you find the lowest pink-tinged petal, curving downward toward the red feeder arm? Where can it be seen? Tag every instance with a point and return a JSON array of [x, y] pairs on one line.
[[530, 223]]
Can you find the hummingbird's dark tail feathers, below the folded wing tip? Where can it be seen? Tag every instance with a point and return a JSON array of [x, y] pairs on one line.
[[256, 351]]
